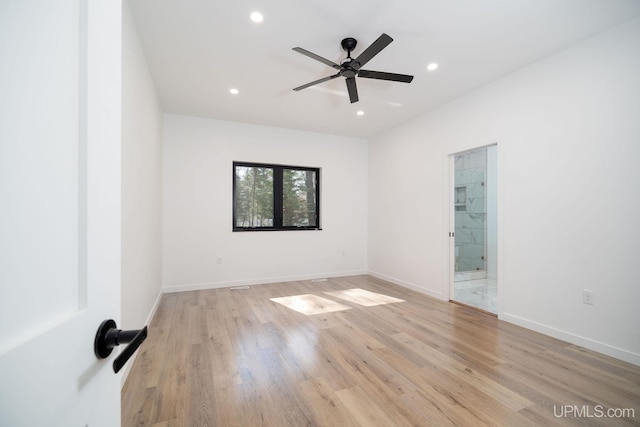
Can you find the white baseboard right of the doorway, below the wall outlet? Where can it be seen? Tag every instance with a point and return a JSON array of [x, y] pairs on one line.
[[569, 337]]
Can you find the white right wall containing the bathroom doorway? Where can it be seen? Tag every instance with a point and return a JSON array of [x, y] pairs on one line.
[[568, 139]]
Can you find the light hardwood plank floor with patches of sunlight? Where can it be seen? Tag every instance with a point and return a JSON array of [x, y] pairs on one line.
[[224, 357]]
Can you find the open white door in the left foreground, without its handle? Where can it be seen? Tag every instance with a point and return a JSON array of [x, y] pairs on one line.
[[59, 210]]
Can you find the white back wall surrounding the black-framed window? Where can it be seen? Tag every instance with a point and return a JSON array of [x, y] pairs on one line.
[[198, 156]]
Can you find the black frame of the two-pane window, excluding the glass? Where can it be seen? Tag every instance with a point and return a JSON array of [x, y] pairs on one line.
[[278, 202]]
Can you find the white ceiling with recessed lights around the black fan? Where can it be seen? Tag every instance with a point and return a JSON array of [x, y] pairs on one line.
[[198, 49]]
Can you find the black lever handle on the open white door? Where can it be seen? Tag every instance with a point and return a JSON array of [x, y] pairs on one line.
[[108, 337]]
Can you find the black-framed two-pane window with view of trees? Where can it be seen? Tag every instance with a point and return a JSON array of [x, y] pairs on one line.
[[275, 197]]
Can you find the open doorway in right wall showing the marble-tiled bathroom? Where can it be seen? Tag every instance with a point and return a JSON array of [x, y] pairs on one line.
[[474, 273]]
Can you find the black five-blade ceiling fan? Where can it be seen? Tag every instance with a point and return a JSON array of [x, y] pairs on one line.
[[350, 68]]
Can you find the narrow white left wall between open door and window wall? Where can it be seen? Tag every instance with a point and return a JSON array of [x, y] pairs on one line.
[[141, 183]]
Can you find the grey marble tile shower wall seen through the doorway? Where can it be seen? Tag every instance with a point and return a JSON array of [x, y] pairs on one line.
[[470, 213]]
